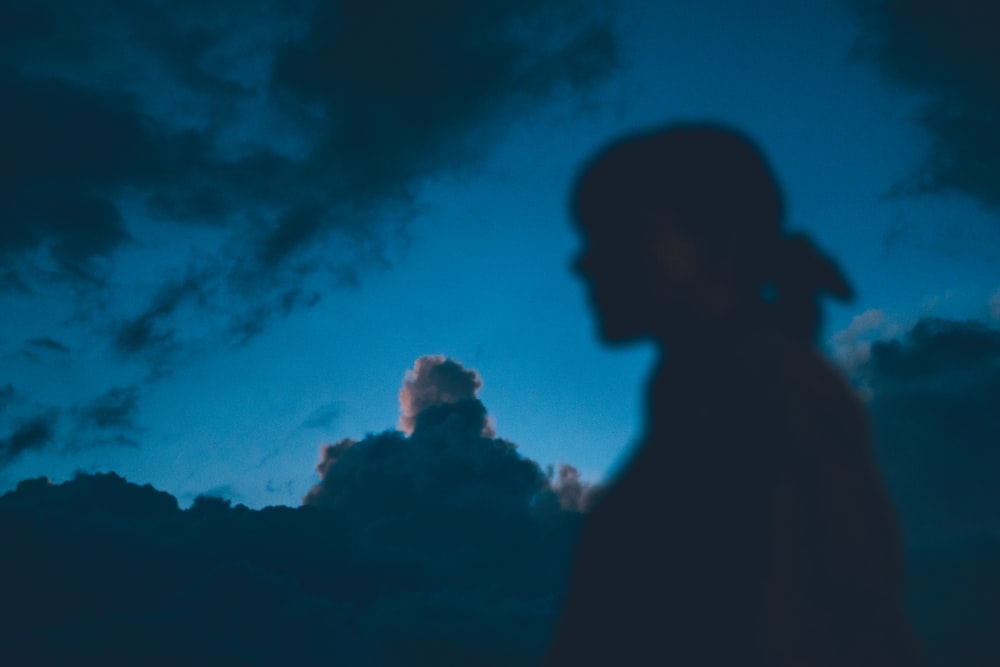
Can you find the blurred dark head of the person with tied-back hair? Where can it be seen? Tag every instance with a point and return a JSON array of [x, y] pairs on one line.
[[682, 231]]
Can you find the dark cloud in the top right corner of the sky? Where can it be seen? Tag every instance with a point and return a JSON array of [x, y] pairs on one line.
[[949, 52]]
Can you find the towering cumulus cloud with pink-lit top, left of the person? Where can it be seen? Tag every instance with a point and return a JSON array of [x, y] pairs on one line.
[[445, 461]]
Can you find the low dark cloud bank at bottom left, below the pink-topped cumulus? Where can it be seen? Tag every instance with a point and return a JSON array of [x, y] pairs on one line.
[[123, 576]]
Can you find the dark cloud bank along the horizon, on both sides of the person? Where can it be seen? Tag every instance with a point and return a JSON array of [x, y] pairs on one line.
[[443, 544]]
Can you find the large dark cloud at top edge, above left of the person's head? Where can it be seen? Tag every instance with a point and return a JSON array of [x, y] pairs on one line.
[[408, 86]]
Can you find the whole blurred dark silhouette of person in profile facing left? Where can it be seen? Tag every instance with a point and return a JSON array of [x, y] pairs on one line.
[[750, 527]]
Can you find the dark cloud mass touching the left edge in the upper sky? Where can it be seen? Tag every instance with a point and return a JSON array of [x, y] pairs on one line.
[[63, 145]]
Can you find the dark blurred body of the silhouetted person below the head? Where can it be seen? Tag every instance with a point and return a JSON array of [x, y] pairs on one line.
[[750, 526]]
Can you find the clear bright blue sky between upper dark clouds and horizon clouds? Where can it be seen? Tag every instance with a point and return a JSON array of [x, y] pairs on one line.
[[464, 250]]
